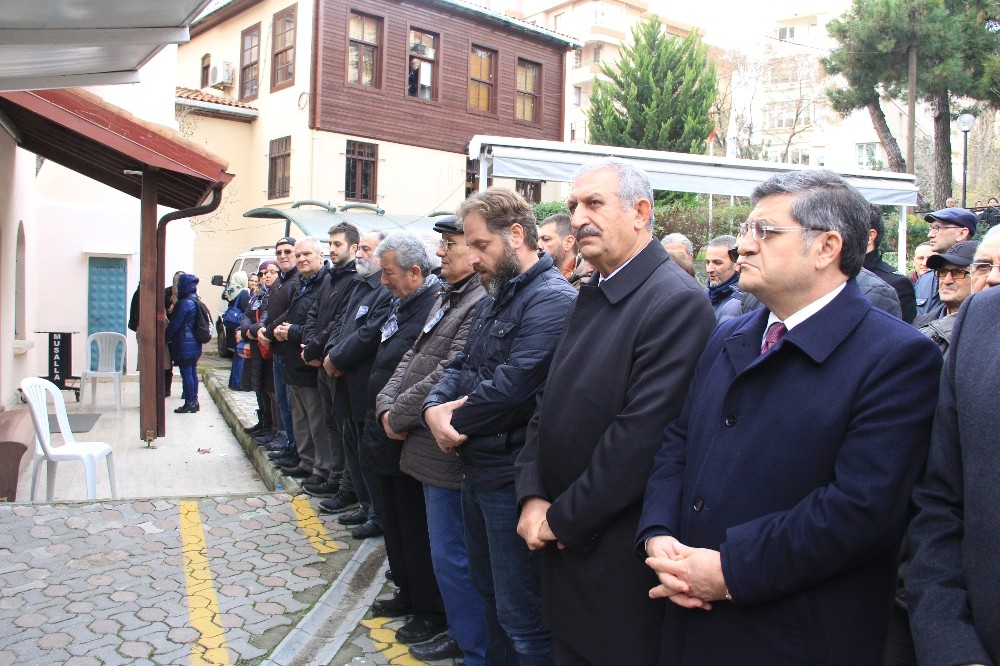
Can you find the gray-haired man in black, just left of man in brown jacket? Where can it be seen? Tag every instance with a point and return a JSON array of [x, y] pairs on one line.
[[406, 274]]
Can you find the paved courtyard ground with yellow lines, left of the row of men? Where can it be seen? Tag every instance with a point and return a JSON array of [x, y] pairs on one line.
[[200, 563]]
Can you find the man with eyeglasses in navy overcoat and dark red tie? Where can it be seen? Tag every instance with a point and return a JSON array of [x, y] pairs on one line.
[[779, 497]]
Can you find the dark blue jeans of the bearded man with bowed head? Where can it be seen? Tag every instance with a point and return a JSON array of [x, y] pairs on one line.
[[507, 575]]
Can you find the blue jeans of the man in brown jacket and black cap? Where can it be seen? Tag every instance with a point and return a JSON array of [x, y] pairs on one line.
[[462, 603]]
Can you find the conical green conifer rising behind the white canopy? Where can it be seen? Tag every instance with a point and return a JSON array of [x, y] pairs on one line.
[[659, 96]]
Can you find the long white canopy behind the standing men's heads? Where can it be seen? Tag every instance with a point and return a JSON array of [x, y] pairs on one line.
[[527, 159]]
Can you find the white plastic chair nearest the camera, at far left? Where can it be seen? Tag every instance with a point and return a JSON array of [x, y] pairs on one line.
[[36, 391]]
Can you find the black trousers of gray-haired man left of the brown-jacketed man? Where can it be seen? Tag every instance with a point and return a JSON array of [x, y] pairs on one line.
[[404, 523]]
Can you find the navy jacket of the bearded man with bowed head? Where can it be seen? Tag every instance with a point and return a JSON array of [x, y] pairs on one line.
[[502, 368]]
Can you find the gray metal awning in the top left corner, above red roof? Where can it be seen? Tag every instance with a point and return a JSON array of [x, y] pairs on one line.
[[61, 44]]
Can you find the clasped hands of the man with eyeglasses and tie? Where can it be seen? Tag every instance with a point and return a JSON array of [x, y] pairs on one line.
[[689, 577]]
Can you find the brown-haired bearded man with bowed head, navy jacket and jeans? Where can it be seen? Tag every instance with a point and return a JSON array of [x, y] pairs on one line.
[[482, 405]]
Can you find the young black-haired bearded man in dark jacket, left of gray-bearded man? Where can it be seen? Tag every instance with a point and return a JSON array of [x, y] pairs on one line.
[[331, 299]]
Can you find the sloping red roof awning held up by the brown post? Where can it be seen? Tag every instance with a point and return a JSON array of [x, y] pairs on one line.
[[80, 131]]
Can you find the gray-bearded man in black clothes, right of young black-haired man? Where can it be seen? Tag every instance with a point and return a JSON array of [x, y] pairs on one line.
[[350, 353]]
